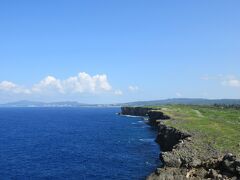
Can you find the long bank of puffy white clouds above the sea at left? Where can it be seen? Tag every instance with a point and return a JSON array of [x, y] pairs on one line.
[[82, 83]]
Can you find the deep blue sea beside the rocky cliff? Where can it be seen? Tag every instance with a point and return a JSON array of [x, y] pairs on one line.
[[75, 143]]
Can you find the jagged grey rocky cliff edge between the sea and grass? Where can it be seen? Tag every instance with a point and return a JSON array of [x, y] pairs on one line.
[[180, 156]]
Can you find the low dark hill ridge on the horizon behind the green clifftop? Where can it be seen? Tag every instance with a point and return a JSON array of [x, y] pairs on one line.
[[190, 101]]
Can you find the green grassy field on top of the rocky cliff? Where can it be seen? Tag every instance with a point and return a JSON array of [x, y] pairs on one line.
[[219, 127]]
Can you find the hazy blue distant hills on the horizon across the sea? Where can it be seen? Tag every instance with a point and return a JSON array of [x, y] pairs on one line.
[[43, 104]]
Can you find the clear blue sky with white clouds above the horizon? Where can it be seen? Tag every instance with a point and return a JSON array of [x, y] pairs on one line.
[[104, 51]]
